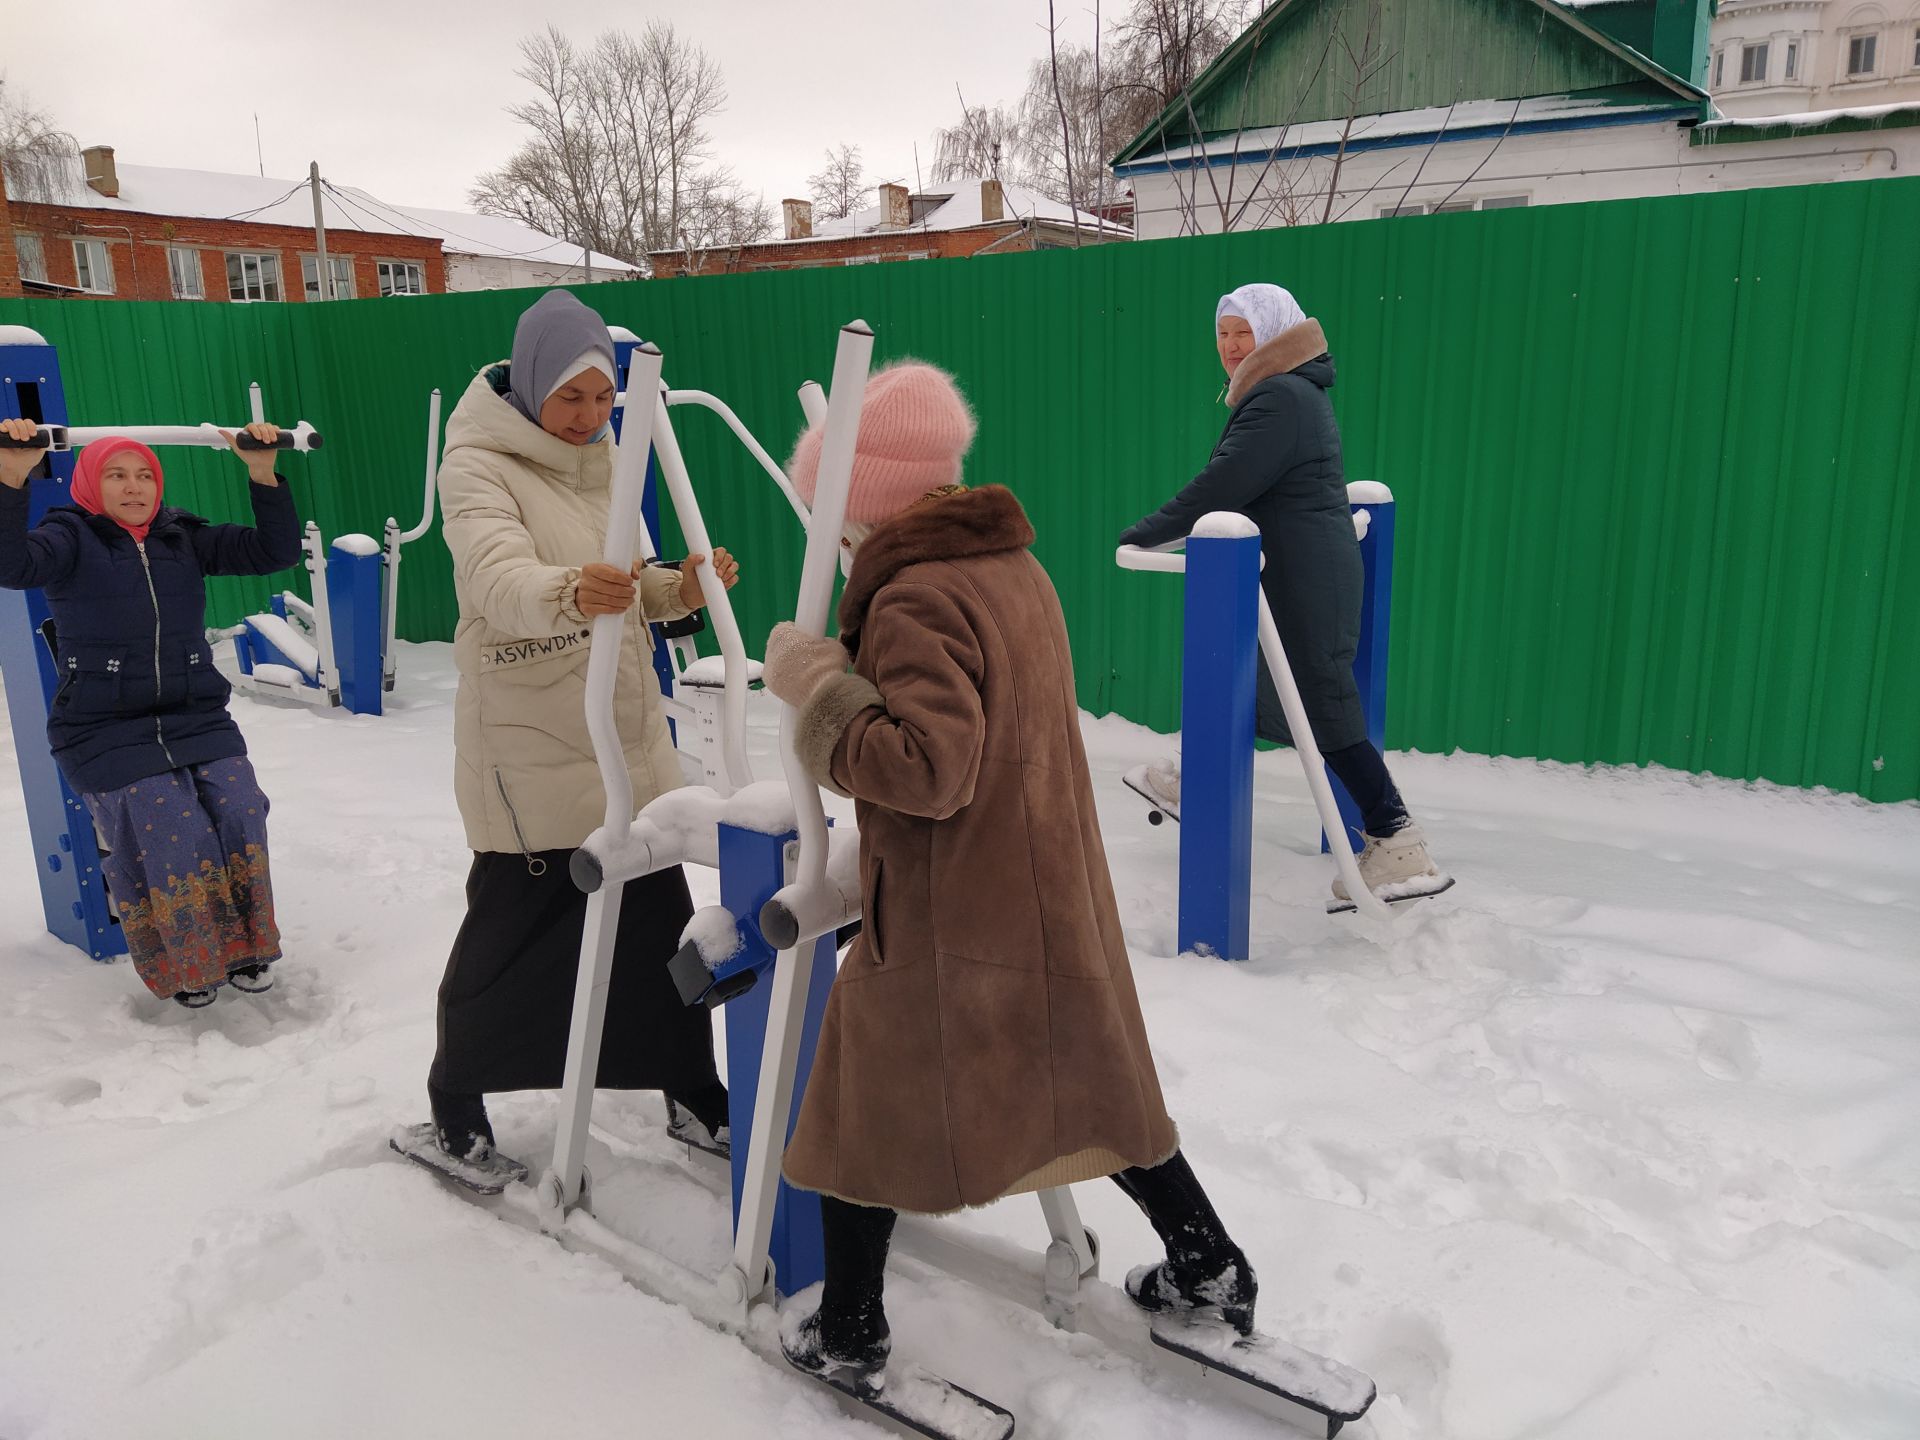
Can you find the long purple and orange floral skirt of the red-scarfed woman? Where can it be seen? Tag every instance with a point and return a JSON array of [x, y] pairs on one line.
[[187, 871]]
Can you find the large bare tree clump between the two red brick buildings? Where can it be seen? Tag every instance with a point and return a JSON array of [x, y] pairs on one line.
[[621, 156]]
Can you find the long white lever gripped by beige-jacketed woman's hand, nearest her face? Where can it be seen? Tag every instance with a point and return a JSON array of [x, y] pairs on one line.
[[604, 669]]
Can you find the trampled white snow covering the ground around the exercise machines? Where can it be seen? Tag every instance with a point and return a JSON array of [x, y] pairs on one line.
[[1618, 1140]]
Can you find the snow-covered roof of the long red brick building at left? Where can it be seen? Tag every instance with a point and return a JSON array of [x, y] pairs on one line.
[[266, 201]]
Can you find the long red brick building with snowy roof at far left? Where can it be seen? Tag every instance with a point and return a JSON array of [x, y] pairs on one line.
[[155, 233]]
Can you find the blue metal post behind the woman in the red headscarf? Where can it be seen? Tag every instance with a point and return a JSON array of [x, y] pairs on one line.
[[66, 855]]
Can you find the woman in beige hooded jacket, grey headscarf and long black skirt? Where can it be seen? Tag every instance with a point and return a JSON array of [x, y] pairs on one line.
[[523, 496]]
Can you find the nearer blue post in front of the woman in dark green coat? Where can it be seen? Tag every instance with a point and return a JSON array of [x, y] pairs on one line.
[[1218, 746]]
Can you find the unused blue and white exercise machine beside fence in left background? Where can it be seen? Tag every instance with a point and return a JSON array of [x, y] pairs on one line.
[[339, 648]]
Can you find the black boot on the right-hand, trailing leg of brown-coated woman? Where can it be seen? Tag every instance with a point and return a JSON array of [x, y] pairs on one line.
[[1205, 1270]]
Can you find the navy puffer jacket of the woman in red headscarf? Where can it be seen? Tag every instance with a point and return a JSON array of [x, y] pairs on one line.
[[139, 694]]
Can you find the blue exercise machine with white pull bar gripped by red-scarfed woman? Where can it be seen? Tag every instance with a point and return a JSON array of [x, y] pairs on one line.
[[64, 844]]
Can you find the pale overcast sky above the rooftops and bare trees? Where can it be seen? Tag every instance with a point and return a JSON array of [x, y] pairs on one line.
[[408, 97]]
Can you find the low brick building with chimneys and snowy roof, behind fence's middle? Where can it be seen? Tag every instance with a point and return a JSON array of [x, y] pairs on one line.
[[955, 222]]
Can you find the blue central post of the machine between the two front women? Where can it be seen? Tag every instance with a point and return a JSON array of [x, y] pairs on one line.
[[752, 869]]
